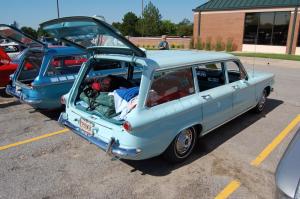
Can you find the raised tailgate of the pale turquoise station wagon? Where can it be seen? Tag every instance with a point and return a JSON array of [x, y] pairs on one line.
[[91, 34]]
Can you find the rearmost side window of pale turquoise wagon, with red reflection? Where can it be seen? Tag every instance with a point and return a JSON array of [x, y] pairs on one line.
[[170, 85]]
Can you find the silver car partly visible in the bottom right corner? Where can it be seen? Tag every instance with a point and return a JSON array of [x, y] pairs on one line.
[[288, 171]]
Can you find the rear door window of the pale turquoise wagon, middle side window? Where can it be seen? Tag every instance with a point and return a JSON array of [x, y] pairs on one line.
[[210, 75]]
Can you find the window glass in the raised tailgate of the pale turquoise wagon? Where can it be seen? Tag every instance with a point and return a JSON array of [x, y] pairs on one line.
[[84, 33]]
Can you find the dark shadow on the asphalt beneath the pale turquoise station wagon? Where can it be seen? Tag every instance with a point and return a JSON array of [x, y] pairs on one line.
[[159, 167]]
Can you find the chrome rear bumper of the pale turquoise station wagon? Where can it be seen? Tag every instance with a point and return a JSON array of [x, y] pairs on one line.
[[111, 148]]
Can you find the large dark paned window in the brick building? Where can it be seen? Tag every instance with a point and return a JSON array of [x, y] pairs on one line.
[[268, 28]]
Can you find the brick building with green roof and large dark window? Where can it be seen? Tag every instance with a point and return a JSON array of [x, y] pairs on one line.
[[250, 25]]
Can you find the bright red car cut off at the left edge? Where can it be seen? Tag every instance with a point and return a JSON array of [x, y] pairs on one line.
[[7, 67]]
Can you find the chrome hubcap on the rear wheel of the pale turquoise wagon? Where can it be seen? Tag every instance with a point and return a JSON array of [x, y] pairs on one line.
[[184, 141]]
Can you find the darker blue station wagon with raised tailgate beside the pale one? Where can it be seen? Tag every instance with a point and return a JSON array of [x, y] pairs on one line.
[[43, 74]]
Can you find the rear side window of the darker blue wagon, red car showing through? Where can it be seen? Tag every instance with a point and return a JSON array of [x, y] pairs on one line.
[[65, 65]]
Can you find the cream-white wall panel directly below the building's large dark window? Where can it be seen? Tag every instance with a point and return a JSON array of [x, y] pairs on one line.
[[264, 49]]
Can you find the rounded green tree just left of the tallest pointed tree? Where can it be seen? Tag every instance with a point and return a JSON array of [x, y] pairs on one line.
[[129, 25]]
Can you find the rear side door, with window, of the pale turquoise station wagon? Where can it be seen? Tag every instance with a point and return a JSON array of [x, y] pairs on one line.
[[215, 95]]
